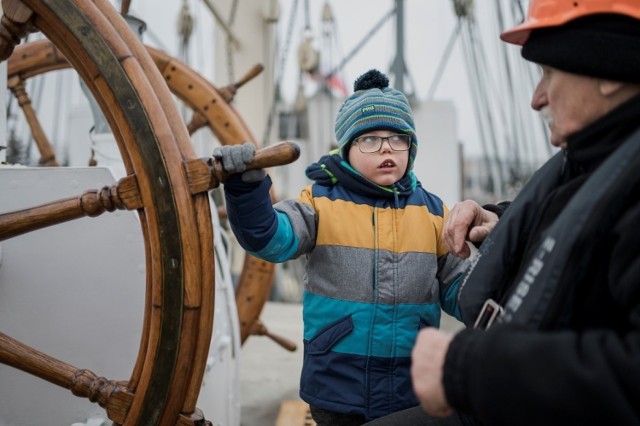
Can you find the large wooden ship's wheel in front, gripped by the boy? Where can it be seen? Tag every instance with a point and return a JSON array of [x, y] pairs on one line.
[[166, 184]]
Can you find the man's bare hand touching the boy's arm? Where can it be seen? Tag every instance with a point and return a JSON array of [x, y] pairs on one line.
[[467, 221]]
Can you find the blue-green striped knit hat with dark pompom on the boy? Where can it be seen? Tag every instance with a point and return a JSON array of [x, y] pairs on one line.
[[374, 106]]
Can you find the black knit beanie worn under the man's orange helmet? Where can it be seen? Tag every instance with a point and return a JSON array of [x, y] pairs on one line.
[[602, 46]]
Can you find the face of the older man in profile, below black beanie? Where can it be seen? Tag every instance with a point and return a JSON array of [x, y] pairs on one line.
[[568, 102]]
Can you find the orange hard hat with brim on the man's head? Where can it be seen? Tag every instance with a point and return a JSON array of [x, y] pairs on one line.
[[552, 13]]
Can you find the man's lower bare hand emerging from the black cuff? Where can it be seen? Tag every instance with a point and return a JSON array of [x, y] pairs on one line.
[[426, 370]]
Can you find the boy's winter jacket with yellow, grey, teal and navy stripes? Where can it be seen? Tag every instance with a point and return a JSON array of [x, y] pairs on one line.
[[376, 272]]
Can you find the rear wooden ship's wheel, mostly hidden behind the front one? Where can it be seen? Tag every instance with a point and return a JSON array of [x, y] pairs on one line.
[[211, 108]]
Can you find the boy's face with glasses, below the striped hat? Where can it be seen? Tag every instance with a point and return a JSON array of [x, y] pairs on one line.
[[384, 167]]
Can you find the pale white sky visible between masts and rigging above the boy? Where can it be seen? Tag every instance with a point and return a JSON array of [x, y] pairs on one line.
[[428, 26]]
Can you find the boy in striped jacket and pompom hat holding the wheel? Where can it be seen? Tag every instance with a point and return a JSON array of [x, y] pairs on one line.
[[376, 271]]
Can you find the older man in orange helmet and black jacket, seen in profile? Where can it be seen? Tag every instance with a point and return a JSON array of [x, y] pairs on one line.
[[553, 299]]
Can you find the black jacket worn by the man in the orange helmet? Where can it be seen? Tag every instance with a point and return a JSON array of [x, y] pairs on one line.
[[572, 356]]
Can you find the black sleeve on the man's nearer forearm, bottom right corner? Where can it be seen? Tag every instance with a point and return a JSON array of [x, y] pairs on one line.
[[581, 375]]
